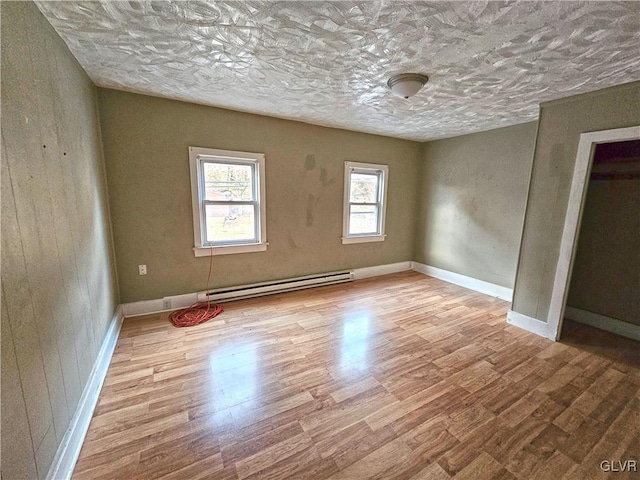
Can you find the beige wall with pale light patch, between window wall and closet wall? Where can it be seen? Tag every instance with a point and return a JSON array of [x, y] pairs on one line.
[[472, 202]]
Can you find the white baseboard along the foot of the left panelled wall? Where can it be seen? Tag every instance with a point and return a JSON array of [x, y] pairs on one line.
[[69, 449]]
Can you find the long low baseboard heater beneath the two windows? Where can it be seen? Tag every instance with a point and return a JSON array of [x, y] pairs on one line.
[[275, 286]]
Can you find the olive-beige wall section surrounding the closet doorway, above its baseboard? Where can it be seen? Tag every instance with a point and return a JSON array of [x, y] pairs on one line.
[[560, 125]]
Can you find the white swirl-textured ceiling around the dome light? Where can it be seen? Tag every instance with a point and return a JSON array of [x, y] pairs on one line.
[[490, 63]]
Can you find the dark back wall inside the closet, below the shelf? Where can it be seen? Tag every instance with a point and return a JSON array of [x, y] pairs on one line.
[[606, 271]]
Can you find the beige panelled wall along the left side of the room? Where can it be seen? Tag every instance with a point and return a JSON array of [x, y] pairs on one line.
[[58, 284]]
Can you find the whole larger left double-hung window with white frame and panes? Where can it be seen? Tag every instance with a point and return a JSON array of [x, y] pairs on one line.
[[227, 190]]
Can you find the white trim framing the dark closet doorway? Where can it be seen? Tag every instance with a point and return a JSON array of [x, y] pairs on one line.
[[573, 219]]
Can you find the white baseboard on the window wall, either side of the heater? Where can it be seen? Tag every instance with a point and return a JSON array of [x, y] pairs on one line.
[[158, 305]]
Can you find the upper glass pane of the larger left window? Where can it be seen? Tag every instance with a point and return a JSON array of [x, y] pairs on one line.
[[224, 181]]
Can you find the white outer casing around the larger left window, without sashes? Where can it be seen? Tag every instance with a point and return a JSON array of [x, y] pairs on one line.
[[197, 196]]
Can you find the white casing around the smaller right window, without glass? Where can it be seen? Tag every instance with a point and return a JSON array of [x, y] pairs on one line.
[[350, 167]]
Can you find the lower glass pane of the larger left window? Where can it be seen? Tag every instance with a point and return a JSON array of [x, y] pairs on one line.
[[230, 223]]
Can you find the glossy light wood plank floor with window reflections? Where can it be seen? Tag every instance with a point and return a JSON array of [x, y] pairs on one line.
[[402, 376]]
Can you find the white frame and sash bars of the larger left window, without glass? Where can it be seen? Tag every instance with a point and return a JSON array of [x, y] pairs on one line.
[[198, 156]]
